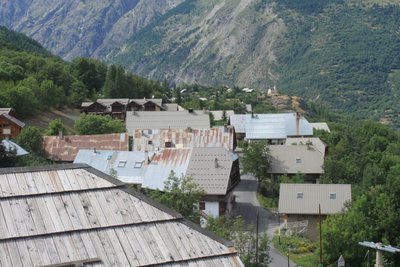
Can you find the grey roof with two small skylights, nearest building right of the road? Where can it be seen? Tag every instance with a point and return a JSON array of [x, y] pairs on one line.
[[332, 198]]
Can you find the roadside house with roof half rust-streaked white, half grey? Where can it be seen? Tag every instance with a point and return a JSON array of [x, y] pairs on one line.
[[215, 170]]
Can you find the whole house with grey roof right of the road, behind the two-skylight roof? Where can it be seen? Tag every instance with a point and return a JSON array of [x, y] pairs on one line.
[[298, 156]]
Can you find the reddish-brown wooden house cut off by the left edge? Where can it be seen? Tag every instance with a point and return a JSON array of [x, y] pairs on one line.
[[10, 127]]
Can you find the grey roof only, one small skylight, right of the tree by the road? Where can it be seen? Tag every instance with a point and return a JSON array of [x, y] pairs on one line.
[[299, 158]]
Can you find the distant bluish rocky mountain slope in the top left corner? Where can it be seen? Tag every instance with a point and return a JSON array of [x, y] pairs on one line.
[[80, 27]]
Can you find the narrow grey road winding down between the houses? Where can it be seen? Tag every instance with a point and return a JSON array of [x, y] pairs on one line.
[[247, 206]]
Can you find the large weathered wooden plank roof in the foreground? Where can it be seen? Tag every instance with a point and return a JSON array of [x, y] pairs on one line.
[[73, 214]]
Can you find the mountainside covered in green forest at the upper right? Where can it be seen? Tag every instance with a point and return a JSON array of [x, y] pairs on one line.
[[342, 55]]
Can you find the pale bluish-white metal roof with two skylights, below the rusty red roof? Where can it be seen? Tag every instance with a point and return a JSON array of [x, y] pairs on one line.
[[129, 166]]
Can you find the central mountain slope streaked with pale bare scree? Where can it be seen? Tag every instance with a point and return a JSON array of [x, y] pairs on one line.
[[212, 42]]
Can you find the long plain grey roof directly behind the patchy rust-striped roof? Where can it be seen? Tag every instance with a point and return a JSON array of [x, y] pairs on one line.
[[166, 120]]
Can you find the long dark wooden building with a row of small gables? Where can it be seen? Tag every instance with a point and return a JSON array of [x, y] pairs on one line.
[[117, 108]]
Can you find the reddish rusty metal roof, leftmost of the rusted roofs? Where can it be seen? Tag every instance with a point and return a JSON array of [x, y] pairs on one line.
[[67, 147]]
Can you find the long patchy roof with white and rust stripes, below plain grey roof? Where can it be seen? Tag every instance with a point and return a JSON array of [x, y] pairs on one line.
[[154, 139]]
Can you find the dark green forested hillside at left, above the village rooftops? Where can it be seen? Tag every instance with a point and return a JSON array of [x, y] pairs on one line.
[[32, 80]]
